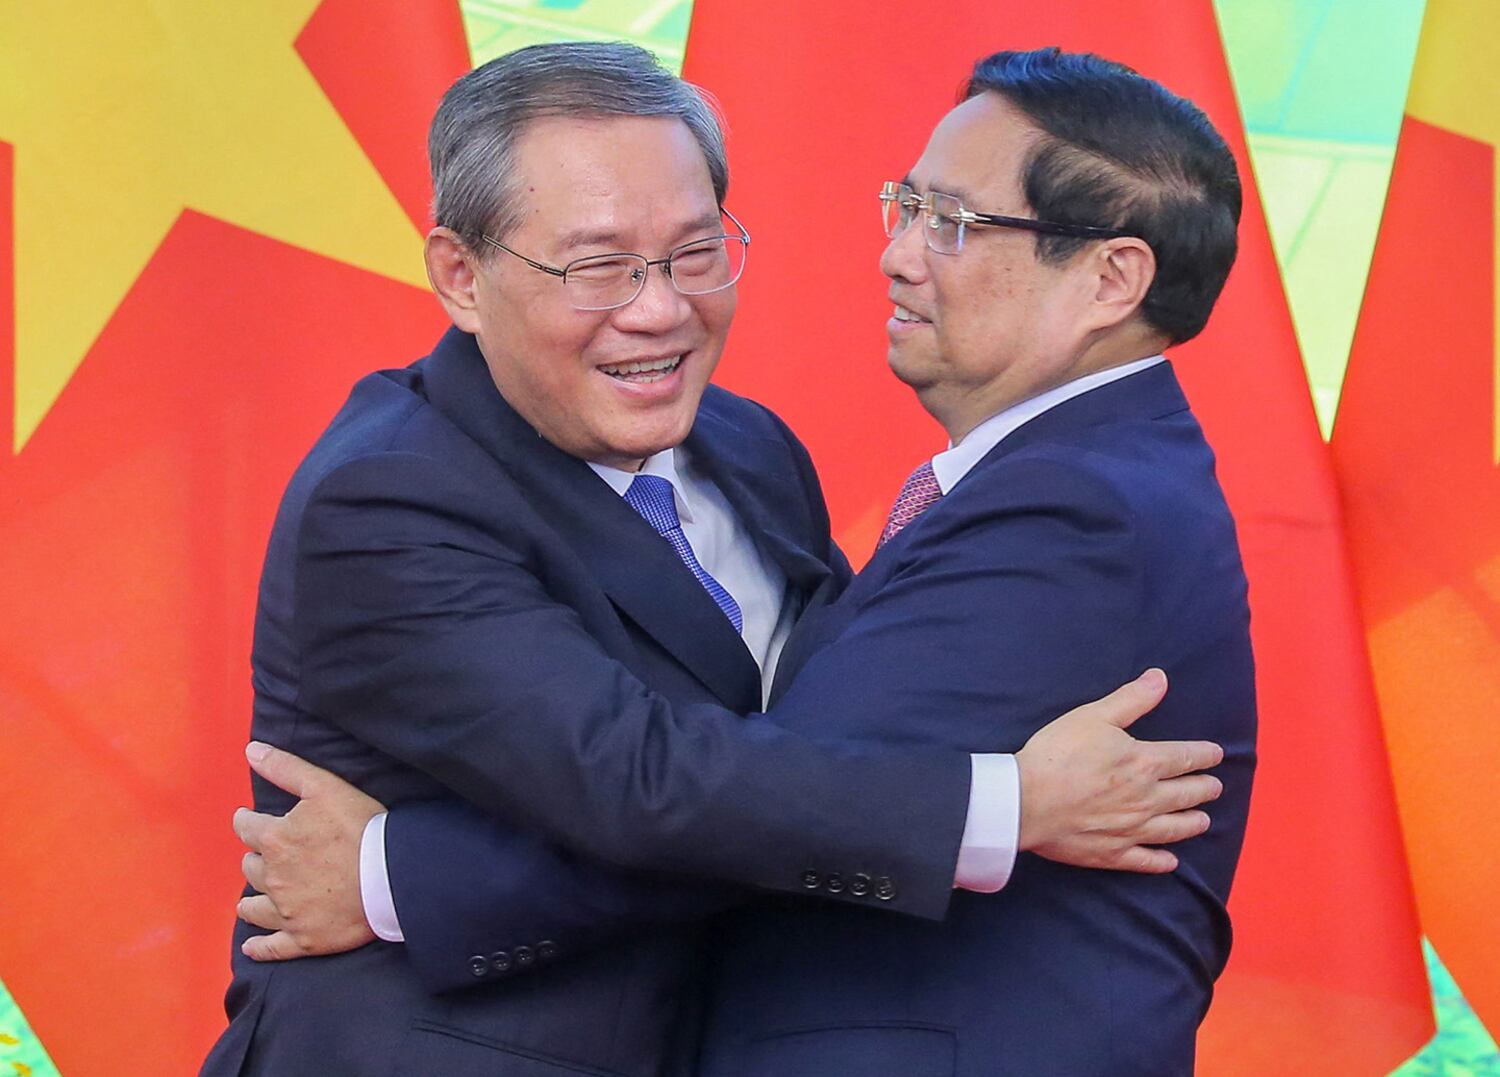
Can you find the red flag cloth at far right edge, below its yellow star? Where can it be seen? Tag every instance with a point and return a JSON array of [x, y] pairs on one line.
[[1414, 443]]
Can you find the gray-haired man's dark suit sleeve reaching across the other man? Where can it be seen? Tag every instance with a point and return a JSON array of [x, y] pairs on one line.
[[428, 631]]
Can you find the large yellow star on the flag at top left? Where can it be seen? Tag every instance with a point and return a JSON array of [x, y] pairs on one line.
[[124, 116]]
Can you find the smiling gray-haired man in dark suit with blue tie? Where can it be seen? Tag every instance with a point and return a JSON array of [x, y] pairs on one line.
[[469, 595]]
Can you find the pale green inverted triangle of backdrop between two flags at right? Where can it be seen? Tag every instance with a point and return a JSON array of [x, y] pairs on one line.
[[1322, 89]]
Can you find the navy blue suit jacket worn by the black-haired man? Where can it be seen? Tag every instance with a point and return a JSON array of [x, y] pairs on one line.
[[1091, 544]]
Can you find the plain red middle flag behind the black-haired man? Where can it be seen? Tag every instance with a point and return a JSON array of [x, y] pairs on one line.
[[1327, 962]]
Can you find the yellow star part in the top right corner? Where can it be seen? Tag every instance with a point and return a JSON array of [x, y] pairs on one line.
[[1456, 85]]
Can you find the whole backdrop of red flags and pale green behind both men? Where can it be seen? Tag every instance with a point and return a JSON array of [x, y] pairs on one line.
[[209, 227]]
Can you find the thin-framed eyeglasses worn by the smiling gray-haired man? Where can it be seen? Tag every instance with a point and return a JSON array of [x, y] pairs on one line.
[[605, 283]]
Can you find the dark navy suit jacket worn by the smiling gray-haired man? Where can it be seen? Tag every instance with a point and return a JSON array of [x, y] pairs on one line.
[[454, 611]]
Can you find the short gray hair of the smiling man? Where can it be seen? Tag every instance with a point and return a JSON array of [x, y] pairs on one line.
[[472, 146]]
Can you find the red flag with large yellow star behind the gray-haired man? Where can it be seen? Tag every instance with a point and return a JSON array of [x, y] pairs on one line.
[[139, 506]]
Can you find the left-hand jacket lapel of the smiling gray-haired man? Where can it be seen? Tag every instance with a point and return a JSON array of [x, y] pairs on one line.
[[635, 568]]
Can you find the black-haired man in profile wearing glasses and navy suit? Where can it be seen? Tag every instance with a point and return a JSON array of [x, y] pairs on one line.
[[1066, 224]]
